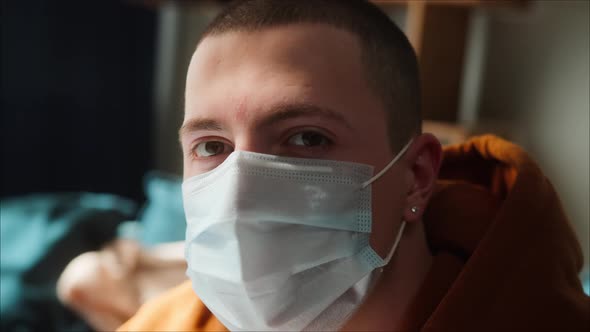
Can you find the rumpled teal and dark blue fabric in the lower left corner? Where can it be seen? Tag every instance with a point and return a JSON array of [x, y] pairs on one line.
[[40, 234]]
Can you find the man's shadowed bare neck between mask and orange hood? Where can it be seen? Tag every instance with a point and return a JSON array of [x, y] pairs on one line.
[[384, 308]]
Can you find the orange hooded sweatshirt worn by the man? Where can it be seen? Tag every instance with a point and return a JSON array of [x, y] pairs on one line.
[[505, 256]]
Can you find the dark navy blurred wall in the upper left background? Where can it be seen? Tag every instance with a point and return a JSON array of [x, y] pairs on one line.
[[77, 86]]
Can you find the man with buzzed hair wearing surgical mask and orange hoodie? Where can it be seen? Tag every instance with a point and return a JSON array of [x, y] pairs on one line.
[[286, 233]]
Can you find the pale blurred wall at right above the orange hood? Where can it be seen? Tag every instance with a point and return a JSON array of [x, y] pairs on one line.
[[535, 90]]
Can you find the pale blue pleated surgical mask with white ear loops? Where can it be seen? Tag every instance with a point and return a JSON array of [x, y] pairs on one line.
[[278, 244]]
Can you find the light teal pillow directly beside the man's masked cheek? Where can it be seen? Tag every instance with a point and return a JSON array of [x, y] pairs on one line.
[[162, 217]]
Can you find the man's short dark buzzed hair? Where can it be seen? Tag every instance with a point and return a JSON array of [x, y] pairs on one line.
[[388, 58]]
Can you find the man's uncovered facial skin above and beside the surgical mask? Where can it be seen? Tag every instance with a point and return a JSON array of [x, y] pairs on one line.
[[297, 91]]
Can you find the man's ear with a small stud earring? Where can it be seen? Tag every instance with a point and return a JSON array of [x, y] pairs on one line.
[[423, 160]]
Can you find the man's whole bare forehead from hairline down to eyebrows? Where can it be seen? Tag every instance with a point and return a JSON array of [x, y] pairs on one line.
[[248, 71]]
